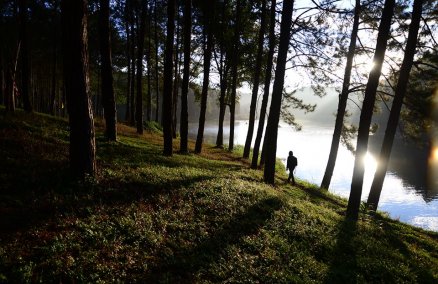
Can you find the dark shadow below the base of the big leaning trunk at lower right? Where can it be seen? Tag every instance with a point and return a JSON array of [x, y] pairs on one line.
[[343, 268]]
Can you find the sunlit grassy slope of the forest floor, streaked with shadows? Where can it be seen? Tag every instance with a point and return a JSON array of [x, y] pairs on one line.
[[183, 219]]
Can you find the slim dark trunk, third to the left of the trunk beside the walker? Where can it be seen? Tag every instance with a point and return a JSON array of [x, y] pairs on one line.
[[234, 74]]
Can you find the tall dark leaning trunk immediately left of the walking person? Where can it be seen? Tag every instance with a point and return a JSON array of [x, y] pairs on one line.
[[277, 92]]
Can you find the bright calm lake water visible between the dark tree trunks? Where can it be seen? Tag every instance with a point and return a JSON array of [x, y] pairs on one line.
[[404, 198]]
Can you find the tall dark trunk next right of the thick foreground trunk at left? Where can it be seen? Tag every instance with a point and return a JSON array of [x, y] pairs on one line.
[[108, 97]]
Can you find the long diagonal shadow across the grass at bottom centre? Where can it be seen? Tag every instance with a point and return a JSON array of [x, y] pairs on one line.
[[183, 264]]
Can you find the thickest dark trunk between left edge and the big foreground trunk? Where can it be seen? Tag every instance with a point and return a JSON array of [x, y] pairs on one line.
[[25, 74]]
